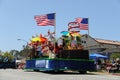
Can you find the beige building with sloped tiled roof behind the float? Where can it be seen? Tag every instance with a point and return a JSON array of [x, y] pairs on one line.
[[96, 45]]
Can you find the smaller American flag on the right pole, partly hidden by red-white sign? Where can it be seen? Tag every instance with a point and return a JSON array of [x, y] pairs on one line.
[[83, 23]]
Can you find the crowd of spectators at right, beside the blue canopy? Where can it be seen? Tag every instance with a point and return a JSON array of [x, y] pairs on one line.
[[111, 66]]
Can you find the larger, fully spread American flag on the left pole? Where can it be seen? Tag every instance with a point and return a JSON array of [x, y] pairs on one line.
[[45, 20]]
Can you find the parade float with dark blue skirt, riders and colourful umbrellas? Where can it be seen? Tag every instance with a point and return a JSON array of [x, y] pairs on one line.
[[64, 53]]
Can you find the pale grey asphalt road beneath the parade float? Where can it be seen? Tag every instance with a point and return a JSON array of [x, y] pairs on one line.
[[16, 74]]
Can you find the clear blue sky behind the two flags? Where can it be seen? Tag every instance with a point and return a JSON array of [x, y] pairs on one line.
[[17, 19]]
